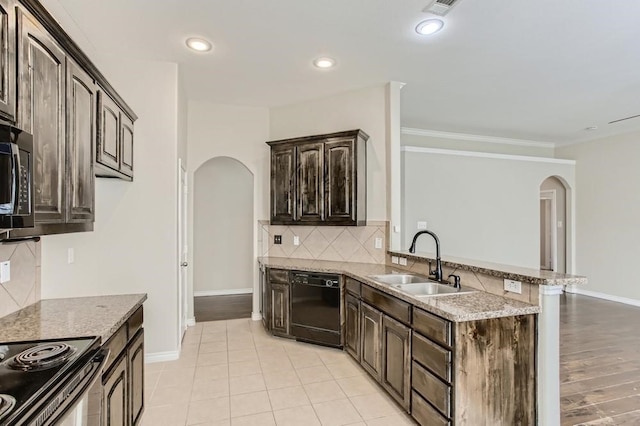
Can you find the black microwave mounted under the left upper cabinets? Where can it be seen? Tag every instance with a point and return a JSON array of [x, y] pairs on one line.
[[16, 178]]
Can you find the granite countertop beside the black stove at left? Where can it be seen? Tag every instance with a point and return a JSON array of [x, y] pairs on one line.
[[72, 317]]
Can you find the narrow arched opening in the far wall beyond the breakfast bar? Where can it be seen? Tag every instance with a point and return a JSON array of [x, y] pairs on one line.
[[554, 225]]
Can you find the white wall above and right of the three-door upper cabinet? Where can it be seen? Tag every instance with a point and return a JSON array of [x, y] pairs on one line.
[[364, 109]]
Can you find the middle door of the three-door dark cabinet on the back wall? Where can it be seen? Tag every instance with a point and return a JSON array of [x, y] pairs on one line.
[[310, 182]]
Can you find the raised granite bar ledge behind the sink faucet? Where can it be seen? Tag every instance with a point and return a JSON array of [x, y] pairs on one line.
[[528, 275]]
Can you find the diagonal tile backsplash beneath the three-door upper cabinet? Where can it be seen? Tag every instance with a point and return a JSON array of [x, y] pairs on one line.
[[337, 243]]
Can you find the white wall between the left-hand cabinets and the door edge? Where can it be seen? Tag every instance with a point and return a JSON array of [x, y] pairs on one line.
[[134, 246]]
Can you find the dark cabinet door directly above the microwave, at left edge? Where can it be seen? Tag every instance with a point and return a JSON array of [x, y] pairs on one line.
[[7, 60]]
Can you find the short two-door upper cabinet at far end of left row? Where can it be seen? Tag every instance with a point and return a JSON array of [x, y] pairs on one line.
[[114, 151]]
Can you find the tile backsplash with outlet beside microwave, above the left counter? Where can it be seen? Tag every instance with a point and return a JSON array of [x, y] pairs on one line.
[[24, 286]]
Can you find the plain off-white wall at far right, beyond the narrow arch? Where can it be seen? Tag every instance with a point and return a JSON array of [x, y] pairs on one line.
[[608, 208]]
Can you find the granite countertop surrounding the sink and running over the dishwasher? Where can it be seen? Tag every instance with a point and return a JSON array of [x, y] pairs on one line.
[[472, 306]]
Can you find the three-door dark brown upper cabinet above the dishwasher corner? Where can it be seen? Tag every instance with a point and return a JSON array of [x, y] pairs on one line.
[[319, 180]]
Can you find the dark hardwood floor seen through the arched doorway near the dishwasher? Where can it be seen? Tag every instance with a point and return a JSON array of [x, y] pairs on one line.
[[217, 308]]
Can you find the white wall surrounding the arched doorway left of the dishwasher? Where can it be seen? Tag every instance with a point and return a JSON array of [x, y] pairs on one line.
[[237, 132]]
